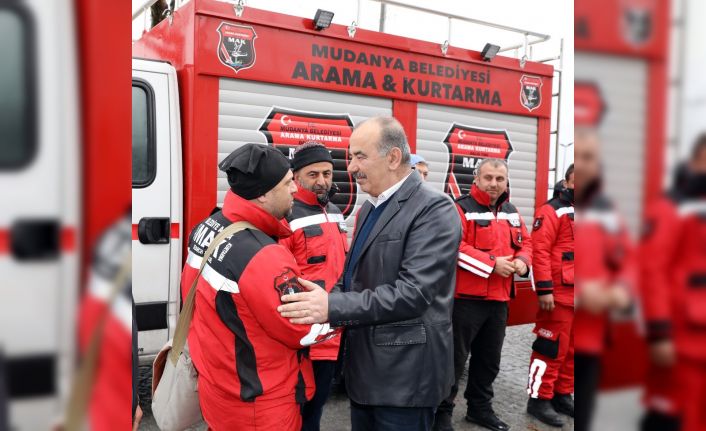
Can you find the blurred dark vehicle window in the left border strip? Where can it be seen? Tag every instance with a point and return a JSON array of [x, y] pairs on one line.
[[17, 102]]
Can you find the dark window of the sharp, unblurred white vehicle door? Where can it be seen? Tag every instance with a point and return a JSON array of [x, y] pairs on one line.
[[143, 151]]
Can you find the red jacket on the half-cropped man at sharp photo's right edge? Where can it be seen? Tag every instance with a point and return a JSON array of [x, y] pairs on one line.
[[553, 249]]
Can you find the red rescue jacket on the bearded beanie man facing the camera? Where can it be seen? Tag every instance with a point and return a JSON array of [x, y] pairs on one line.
[[319, 244]]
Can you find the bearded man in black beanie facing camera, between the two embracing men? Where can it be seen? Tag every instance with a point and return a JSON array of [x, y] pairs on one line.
[[319, 244]]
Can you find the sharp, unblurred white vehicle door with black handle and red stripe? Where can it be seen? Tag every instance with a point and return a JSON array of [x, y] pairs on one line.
[[156, 211]]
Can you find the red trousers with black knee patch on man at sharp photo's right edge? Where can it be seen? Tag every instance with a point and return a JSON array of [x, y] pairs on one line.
[[552, 361]]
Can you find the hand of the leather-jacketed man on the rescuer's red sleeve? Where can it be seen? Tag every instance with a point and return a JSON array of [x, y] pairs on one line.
[[306, 308]]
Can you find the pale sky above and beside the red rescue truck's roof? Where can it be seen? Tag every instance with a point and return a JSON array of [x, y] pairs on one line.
[[552, 17]]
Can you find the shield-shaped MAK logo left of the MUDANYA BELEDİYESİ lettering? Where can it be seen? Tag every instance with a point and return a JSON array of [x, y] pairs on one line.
[[236, 46]]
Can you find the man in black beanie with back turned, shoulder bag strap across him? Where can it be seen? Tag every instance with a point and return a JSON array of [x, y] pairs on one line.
[[254, 367]]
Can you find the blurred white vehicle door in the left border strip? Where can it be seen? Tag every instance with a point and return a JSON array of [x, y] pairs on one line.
[[39, 191]]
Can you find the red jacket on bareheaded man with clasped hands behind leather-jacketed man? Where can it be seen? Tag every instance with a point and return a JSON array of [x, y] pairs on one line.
[[487, 234]]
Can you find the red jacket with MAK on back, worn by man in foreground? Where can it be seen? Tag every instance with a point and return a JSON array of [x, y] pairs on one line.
[[248, 351]]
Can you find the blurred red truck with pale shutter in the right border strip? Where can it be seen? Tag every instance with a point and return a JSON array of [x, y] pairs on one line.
[[621, 68]]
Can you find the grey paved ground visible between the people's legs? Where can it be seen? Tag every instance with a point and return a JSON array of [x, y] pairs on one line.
[[510, 396]]
